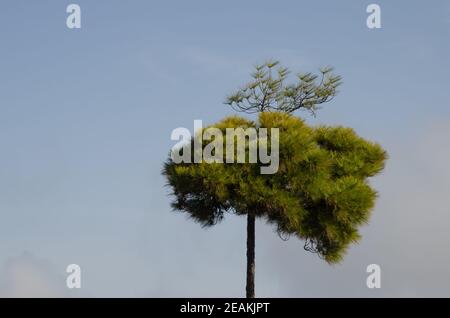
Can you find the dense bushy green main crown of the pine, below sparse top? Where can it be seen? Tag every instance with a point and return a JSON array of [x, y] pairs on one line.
[[319, 194]]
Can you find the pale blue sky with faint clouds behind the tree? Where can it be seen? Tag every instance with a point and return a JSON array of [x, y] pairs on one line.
[[85, 123]]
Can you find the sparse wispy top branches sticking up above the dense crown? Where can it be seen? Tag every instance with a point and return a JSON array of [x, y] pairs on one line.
[[268, 90]]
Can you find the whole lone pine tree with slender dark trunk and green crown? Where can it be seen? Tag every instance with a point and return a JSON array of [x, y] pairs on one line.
[[320, 192]]
